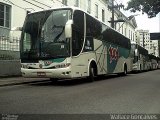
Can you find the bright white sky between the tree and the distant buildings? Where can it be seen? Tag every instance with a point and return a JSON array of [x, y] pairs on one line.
[[143, 22]]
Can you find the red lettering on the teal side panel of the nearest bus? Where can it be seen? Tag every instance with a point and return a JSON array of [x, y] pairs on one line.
[[113, 53]]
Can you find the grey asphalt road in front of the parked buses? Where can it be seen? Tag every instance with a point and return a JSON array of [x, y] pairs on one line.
[[135, 93]]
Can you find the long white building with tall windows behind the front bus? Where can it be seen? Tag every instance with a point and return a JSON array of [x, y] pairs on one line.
[[13, 12]]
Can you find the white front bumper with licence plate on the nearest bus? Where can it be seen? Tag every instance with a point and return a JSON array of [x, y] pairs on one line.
[[47, 73]]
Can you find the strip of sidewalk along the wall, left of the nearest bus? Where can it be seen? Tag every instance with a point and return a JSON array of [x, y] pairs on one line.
[[8, 81]]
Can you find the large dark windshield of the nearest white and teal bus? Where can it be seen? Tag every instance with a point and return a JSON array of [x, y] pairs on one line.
[[43, 35]]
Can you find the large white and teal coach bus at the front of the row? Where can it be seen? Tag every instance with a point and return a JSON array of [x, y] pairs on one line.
[[69, 43]]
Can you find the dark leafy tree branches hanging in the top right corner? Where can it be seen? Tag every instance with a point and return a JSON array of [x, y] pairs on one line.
[[150, 7]]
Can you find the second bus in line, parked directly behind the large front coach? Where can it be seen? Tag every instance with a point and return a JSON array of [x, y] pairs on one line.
[[140, 58]]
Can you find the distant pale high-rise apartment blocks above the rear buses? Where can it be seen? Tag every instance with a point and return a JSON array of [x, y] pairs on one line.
[[143, 39]]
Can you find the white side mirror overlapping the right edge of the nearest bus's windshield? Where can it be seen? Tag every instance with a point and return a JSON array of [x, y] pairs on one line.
[[68, 29]]
